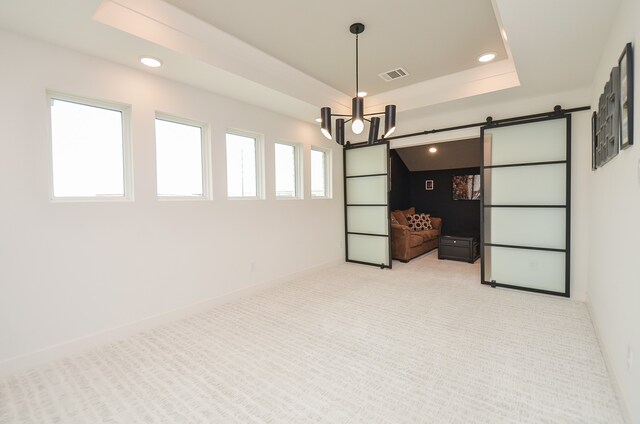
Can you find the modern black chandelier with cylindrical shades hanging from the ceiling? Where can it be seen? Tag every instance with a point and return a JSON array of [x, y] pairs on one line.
[[358, 117]]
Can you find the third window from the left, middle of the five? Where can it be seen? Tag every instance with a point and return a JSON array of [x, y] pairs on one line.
[[244, 167]]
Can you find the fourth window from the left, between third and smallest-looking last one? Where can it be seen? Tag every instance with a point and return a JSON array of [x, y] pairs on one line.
[[287, 165]]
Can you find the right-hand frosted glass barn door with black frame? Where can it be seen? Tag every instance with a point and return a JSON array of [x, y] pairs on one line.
[[525, 205]]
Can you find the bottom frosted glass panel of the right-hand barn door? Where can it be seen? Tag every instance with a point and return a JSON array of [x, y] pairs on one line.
[[526, 268]]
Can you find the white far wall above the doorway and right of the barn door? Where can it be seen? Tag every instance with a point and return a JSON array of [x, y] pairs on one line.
[[476, 110]]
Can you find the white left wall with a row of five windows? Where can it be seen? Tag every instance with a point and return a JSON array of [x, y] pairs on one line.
[[69, 270]]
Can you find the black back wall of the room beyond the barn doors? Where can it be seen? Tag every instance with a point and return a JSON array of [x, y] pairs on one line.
[[460, 217]]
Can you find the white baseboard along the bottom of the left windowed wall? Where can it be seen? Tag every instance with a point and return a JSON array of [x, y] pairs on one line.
[[82, 344]]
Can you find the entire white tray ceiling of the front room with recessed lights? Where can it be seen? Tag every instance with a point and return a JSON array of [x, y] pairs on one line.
[[294, 57]]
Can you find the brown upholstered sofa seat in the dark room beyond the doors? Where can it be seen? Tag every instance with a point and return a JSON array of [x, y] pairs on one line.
[[407, 244]]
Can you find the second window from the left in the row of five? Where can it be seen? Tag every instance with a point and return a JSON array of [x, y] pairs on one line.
[[180, 159]]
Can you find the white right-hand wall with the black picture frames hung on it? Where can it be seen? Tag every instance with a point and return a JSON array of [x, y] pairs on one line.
[[614, 252]]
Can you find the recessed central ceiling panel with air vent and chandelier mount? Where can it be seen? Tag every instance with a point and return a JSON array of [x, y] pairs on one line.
[[314, 37]]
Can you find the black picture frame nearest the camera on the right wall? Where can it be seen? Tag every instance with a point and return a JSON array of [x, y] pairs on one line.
[[625, 99]]
